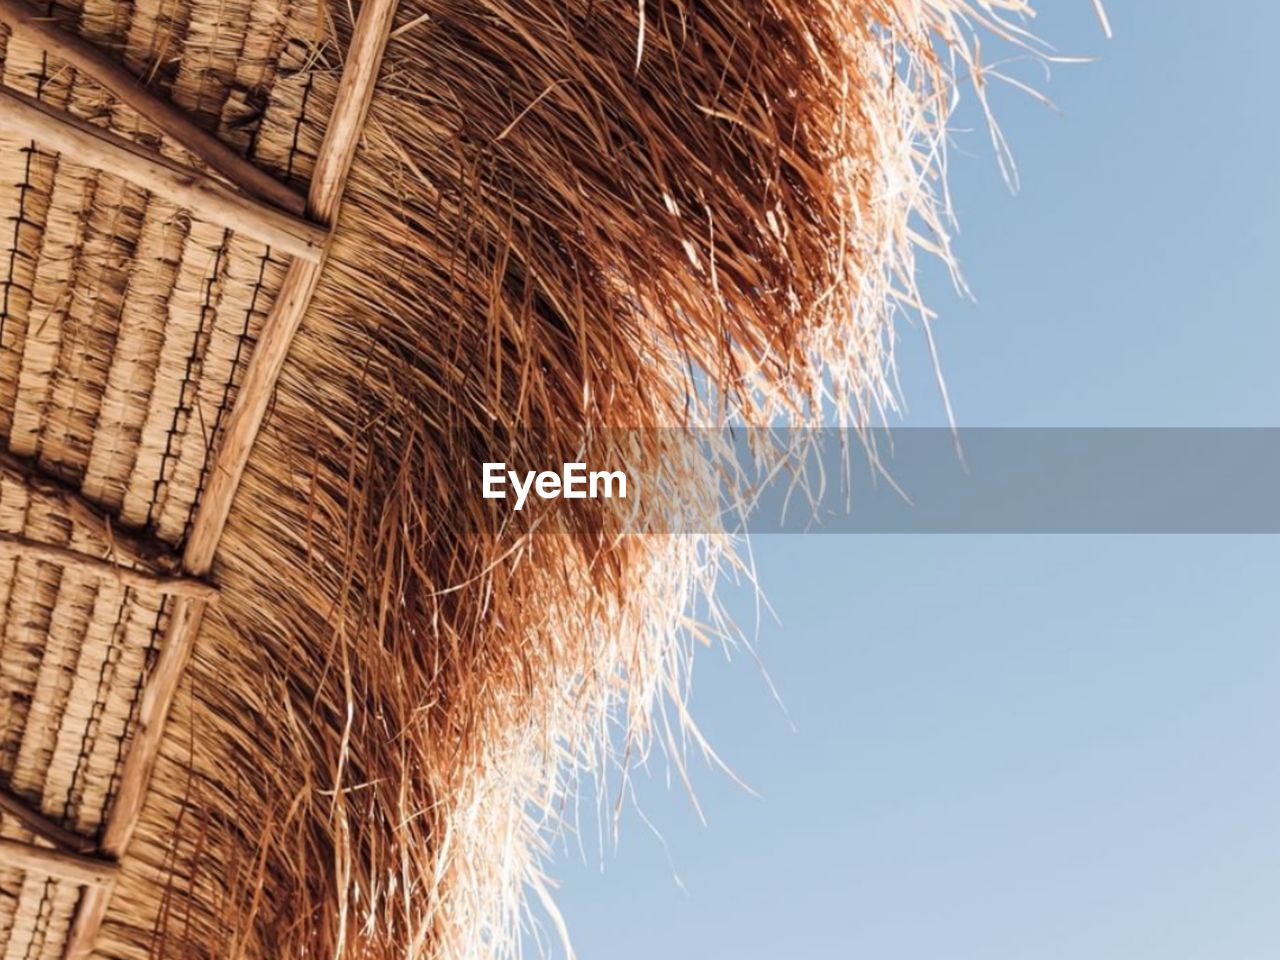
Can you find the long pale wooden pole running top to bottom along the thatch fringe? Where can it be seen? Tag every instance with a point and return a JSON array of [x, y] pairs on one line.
[[324, 198]]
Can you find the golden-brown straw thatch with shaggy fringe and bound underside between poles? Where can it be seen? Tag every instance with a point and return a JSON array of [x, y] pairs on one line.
[[563, 217]]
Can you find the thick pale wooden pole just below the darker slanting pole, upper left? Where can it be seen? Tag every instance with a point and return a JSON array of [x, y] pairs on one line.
[[83, 143]]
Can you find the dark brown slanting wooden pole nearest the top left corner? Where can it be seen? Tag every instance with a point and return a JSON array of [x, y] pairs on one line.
[[45, 33]]
